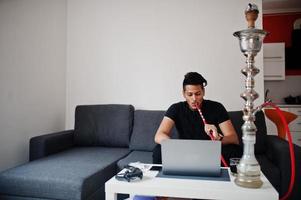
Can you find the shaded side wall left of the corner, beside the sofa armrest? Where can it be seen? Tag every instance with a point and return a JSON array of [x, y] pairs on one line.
[[32, 74]]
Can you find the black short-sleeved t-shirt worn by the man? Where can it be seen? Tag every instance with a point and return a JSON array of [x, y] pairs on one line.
[[189, 122]]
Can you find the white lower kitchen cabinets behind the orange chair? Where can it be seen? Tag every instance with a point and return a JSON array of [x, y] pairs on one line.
[[294, 126]]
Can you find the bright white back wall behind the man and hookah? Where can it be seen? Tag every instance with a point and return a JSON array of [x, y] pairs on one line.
[[137, 51]]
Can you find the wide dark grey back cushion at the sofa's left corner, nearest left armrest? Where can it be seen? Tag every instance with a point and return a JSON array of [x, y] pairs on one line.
[[103, 125]]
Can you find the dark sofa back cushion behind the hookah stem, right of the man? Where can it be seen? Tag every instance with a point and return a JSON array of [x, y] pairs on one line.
[[261, 134]]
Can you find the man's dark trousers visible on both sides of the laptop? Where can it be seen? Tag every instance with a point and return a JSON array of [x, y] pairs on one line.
[[228, 151]]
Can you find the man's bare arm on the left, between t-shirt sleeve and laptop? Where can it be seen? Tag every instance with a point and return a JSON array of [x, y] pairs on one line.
[[164, 130]]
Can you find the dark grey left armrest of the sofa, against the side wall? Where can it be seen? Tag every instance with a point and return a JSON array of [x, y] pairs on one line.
[[44, 145]]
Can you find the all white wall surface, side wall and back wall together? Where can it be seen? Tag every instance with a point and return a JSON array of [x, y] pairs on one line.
[[118, 51]]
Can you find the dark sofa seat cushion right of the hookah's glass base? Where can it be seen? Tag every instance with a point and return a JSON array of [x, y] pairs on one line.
[[271, 171]]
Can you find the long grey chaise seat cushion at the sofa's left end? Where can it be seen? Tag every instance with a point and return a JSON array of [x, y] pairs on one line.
[[73, 174]]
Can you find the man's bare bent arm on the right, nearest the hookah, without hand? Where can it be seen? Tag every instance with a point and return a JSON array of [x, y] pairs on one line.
[[230, 135]]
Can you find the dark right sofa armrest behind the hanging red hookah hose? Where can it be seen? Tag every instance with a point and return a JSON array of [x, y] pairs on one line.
[[278, 153]]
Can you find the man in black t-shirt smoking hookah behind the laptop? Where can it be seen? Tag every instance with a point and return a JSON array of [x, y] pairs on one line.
[[188, 122]]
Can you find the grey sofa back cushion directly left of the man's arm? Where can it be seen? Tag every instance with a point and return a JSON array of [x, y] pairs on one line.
[[146, 123]]
